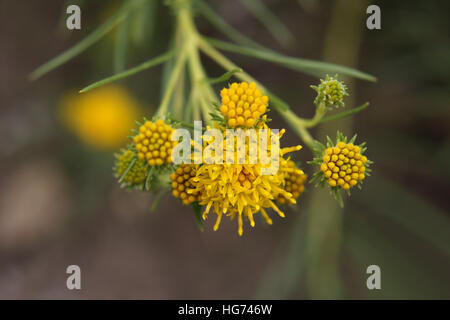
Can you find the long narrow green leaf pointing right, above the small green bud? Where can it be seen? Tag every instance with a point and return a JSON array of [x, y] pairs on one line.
[[308, 66]]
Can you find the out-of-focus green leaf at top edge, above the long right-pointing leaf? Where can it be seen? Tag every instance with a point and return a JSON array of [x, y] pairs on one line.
[[270, 21]]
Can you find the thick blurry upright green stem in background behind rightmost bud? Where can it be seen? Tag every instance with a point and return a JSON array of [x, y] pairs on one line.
[[324, 216]]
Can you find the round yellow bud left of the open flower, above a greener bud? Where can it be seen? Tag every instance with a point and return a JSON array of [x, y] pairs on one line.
[[153, 143]]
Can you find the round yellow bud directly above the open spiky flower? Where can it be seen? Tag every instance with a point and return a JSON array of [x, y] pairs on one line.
[[243, 104]]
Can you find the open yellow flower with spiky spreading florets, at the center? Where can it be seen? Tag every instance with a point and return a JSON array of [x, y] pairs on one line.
[[240, 189]]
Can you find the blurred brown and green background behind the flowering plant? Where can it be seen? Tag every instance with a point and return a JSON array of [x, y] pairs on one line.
[[59, 204]]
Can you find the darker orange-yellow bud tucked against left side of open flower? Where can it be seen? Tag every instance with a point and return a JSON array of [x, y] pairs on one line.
[[182, 186]]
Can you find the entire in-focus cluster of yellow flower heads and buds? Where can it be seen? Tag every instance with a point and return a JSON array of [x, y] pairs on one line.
[[237, 178]]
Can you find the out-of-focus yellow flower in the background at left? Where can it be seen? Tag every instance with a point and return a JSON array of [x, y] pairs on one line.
[[101, 118]]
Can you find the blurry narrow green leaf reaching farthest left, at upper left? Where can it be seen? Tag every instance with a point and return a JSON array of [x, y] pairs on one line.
[[81, 46]]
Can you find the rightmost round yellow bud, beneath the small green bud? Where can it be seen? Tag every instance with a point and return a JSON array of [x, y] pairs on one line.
[[343, 165]]
